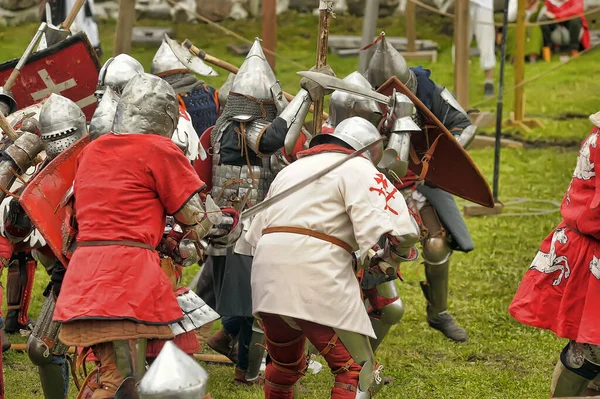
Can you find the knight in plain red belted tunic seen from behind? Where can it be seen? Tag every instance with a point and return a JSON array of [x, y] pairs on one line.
[[115, 254]]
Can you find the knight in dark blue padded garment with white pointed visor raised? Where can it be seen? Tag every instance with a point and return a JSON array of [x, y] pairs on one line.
[[196, 97]]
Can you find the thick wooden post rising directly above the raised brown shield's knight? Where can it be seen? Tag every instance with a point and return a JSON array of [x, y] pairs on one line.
[[462, 52]]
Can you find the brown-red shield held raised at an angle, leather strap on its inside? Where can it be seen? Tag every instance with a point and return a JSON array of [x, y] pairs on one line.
[[450, 167]]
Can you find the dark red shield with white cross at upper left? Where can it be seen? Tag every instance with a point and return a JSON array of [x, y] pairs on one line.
[[69, 68]]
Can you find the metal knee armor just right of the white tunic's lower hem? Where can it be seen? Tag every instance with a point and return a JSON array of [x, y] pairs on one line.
[[384, 317]]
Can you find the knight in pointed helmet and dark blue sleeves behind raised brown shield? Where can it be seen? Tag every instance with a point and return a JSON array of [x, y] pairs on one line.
[[443, 227]]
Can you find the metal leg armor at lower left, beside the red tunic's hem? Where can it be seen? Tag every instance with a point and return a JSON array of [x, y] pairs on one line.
[[48, 353]]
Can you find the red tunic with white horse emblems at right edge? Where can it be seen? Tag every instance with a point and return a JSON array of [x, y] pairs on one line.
[[561, 290]]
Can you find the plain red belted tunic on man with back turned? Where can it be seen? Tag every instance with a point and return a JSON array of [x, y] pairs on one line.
[[125, 185]]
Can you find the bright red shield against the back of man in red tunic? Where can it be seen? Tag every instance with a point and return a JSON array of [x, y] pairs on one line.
[[44, 198]]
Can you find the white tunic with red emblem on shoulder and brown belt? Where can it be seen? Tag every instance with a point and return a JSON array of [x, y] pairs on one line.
[[311, 279]]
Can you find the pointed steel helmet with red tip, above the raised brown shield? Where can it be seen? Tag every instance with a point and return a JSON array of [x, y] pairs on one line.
[[387, 62]]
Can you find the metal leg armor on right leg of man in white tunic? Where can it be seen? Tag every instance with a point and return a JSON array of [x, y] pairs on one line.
[[359, 347]]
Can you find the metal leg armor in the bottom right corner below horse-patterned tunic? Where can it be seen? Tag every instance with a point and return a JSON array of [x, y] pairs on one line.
[[575, 369]]
